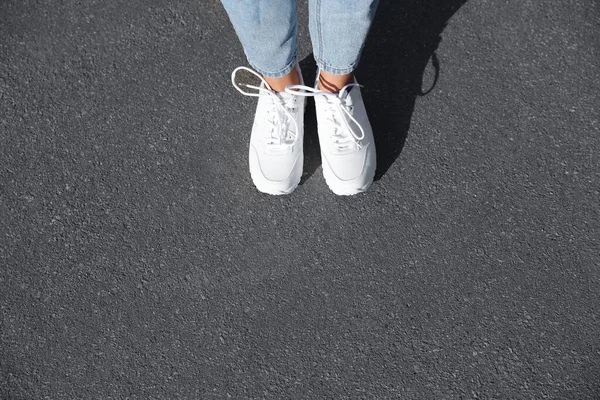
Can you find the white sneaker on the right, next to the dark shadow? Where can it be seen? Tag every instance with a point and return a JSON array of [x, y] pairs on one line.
[[345, 137]]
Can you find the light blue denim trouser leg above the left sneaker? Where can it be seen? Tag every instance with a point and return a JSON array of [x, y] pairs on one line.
[[267, 30]]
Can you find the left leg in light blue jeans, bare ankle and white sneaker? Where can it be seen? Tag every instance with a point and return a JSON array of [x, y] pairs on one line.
[[267, 30]]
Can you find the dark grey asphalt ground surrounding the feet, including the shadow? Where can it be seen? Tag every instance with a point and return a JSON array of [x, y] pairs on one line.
[[138, 261]]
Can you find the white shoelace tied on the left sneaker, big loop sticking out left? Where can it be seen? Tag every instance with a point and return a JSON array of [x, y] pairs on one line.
[[281, 115]]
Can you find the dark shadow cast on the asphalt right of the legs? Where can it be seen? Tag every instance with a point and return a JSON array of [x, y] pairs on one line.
[[402, 41]]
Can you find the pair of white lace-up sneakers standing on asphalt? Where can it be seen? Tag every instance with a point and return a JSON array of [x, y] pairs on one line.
[[276, 142]]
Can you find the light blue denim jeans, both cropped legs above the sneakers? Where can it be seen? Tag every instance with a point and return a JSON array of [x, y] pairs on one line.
[[267, 30]]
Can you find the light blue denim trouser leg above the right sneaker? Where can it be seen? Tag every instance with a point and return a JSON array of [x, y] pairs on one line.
[[338, 30]]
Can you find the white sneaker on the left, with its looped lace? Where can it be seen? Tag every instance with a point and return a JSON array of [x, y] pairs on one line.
[[276, 155]]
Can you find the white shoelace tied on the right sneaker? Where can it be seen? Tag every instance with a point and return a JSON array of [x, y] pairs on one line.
[[337, 103]]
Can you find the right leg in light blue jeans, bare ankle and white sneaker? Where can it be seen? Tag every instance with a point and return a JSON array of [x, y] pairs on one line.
[[338, 30]]
